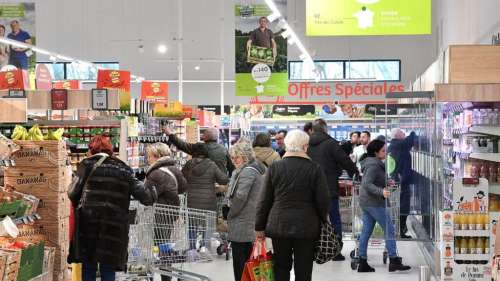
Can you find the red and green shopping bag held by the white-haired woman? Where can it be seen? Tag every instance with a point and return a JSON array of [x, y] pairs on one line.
[[260, 265]]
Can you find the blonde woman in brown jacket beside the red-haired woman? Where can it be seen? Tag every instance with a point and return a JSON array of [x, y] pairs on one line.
[[164, 175]]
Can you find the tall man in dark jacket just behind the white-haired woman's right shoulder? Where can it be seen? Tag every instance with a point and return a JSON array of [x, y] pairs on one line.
[[325, 150]]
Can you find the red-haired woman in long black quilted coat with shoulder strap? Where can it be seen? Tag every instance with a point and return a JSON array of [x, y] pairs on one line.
[[102, 211]]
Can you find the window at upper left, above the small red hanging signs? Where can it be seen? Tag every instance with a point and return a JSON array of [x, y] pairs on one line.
[[76, 71]]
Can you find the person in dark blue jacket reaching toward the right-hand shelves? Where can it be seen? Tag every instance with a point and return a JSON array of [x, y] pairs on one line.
[[399, 151]]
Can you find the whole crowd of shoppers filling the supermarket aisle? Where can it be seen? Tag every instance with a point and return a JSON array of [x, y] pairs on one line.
[[283, 198]]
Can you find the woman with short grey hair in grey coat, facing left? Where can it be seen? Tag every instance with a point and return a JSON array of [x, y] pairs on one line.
[[244, 187]]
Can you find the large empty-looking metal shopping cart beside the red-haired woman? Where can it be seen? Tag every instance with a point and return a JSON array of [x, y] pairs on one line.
[[165, 237]]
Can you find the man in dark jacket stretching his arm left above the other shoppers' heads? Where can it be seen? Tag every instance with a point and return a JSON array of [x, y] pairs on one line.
[[216, 152]]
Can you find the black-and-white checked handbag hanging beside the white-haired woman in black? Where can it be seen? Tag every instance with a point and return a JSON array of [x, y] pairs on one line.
[[328, 245]]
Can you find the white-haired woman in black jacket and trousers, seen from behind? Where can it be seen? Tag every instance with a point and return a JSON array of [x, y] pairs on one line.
[[294, 202]]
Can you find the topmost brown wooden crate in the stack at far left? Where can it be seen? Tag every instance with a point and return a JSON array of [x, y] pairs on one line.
[[40, 154]]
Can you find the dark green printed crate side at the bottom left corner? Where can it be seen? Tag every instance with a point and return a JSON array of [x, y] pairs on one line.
[[31, 264]]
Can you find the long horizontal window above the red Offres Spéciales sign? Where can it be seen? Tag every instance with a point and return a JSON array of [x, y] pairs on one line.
[[357, 70]]
